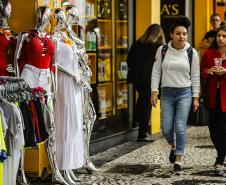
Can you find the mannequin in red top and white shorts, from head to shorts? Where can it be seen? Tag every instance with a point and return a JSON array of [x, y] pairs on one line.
[[35, 51]]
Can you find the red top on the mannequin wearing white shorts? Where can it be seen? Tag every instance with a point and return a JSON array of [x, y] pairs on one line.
[[37, 51]]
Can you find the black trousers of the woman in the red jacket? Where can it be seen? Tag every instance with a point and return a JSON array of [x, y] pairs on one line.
[[217, 128]]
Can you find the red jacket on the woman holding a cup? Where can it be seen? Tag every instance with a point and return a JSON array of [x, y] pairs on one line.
[[206, 63]]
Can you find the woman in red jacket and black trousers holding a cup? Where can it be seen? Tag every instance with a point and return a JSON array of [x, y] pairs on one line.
[[213, 70]]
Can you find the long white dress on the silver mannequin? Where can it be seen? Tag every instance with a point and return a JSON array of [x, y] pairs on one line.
[[68, 111]]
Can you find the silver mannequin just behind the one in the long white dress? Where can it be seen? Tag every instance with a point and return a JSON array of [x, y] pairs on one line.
[[89, 114]]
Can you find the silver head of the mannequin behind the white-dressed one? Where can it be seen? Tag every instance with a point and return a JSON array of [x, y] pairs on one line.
[[72, 14]]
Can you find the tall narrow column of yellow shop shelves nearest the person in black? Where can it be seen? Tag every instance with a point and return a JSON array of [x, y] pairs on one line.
[[121, 51]]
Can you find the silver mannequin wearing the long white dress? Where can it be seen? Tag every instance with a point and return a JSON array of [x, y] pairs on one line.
[[68, 112]]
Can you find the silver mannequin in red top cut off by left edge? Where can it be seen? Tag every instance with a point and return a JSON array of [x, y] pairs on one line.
[[7, 40]]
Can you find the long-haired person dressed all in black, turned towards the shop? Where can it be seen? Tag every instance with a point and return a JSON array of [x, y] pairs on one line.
[[140, 62]]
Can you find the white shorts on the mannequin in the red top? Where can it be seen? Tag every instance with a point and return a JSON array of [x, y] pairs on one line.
[[36, 77]]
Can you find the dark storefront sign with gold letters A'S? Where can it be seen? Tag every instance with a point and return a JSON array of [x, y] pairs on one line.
[[170, 10]]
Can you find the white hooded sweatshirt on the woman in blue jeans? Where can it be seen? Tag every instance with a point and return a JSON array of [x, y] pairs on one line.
[[174, 70]]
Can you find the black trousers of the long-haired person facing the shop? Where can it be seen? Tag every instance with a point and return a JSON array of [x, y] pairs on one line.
[[142, 110]]
